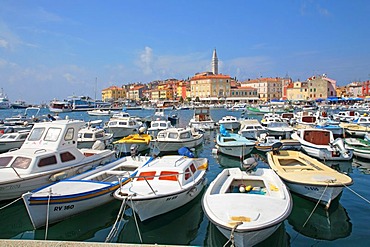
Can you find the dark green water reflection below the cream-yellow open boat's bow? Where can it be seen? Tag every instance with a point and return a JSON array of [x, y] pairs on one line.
[[323, 224]]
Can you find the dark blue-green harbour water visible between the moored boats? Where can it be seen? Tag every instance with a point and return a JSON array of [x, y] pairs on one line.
[[346, 223]]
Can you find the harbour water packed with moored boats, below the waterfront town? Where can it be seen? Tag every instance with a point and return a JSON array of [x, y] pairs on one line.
[[228, 194]]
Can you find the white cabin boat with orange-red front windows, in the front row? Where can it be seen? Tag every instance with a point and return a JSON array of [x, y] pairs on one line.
[[165, 184]]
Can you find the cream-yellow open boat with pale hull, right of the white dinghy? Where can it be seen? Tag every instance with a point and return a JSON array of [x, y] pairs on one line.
[[307, 176]]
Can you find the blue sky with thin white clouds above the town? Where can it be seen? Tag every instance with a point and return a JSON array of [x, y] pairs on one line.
[[55, 49]]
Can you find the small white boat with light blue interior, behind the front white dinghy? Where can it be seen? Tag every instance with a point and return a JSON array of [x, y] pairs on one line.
[[233, 144]]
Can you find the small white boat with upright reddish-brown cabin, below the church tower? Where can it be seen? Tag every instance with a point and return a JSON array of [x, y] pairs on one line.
[[202, 119]]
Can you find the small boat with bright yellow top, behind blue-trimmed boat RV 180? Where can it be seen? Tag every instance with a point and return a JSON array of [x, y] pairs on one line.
[[133, 143]]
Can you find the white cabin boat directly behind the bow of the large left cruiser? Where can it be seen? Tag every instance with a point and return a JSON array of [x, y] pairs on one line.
[[91, 133]]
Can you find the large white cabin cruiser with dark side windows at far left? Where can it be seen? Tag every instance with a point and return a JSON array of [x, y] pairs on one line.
[[48, 154]]
